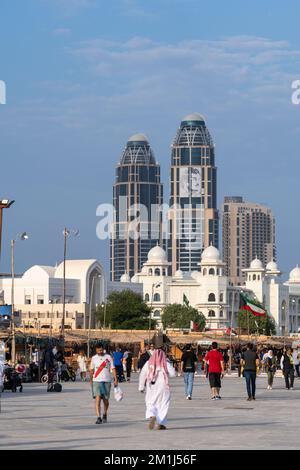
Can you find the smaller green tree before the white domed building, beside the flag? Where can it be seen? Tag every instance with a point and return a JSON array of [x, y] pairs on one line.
[[180, 316]]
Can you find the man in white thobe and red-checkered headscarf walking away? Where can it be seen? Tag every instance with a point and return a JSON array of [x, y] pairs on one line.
[[154, 377]]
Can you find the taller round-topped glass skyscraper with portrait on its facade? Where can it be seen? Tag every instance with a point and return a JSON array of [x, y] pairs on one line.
[[194, 222]]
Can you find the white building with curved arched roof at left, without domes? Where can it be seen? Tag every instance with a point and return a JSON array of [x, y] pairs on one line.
[[38, 294]]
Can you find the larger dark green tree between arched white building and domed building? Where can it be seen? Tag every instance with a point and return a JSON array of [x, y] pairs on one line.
[[125, 310]]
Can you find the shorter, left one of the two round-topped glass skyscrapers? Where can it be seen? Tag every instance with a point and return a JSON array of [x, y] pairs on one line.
[[137, 200]]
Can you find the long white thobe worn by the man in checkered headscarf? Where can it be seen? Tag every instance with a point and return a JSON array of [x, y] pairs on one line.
[[158, 394]]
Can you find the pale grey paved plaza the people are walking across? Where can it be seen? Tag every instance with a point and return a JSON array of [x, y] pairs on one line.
[[39, 420]]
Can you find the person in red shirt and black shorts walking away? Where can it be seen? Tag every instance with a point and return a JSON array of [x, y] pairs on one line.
[[215, 361]]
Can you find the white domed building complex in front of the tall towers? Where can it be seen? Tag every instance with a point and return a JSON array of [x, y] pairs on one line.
[[211, 292]]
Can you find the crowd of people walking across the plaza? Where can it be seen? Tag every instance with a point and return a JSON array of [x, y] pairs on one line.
[[156, 365]]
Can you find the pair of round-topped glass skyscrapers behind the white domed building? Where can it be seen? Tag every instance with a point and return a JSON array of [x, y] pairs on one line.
[[141, 220]]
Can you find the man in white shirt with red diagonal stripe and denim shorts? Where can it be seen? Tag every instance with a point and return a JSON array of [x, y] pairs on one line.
[[102, 373]]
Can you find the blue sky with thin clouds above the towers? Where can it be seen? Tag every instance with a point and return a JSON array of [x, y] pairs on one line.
[[84, 75]]
